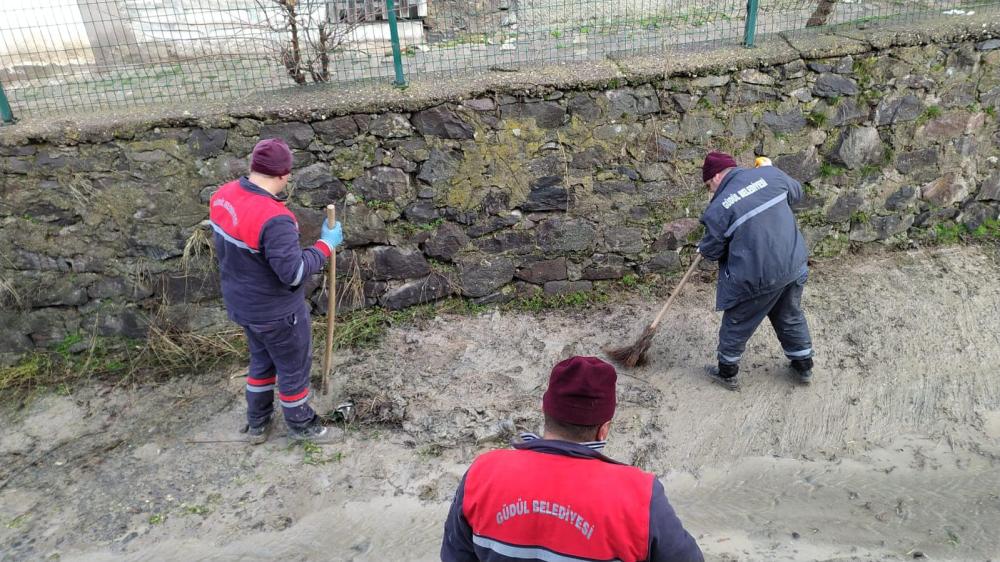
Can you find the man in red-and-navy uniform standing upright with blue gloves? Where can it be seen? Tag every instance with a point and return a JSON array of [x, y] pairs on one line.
[[263, 269]]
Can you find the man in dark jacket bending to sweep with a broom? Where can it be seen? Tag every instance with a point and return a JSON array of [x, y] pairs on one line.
[[751, 231]]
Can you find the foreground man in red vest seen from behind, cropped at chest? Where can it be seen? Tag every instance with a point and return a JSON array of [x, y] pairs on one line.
[[557, 497]]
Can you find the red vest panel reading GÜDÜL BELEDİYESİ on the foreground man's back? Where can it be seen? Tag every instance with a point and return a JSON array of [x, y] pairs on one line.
[[517, 501]]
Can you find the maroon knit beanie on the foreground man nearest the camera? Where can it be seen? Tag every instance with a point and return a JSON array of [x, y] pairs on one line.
[[581, 391]]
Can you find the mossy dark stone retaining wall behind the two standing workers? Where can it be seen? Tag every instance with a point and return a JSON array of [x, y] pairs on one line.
[[503, 194]]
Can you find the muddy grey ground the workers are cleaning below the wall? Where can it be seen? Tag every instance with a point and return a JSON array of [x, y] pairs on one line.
[[893, 453]]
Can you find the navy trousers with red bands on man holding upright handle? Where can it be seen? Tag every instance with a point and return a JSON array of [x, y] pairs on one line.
[[280, 356]]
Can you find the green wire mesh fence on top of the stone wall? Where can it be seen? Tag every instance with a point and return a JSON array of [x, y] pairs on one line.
[[72, 55]]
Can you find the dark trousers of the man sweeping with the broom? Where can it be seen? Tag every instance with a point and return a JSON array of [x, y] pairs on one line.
[[783, 307]]
